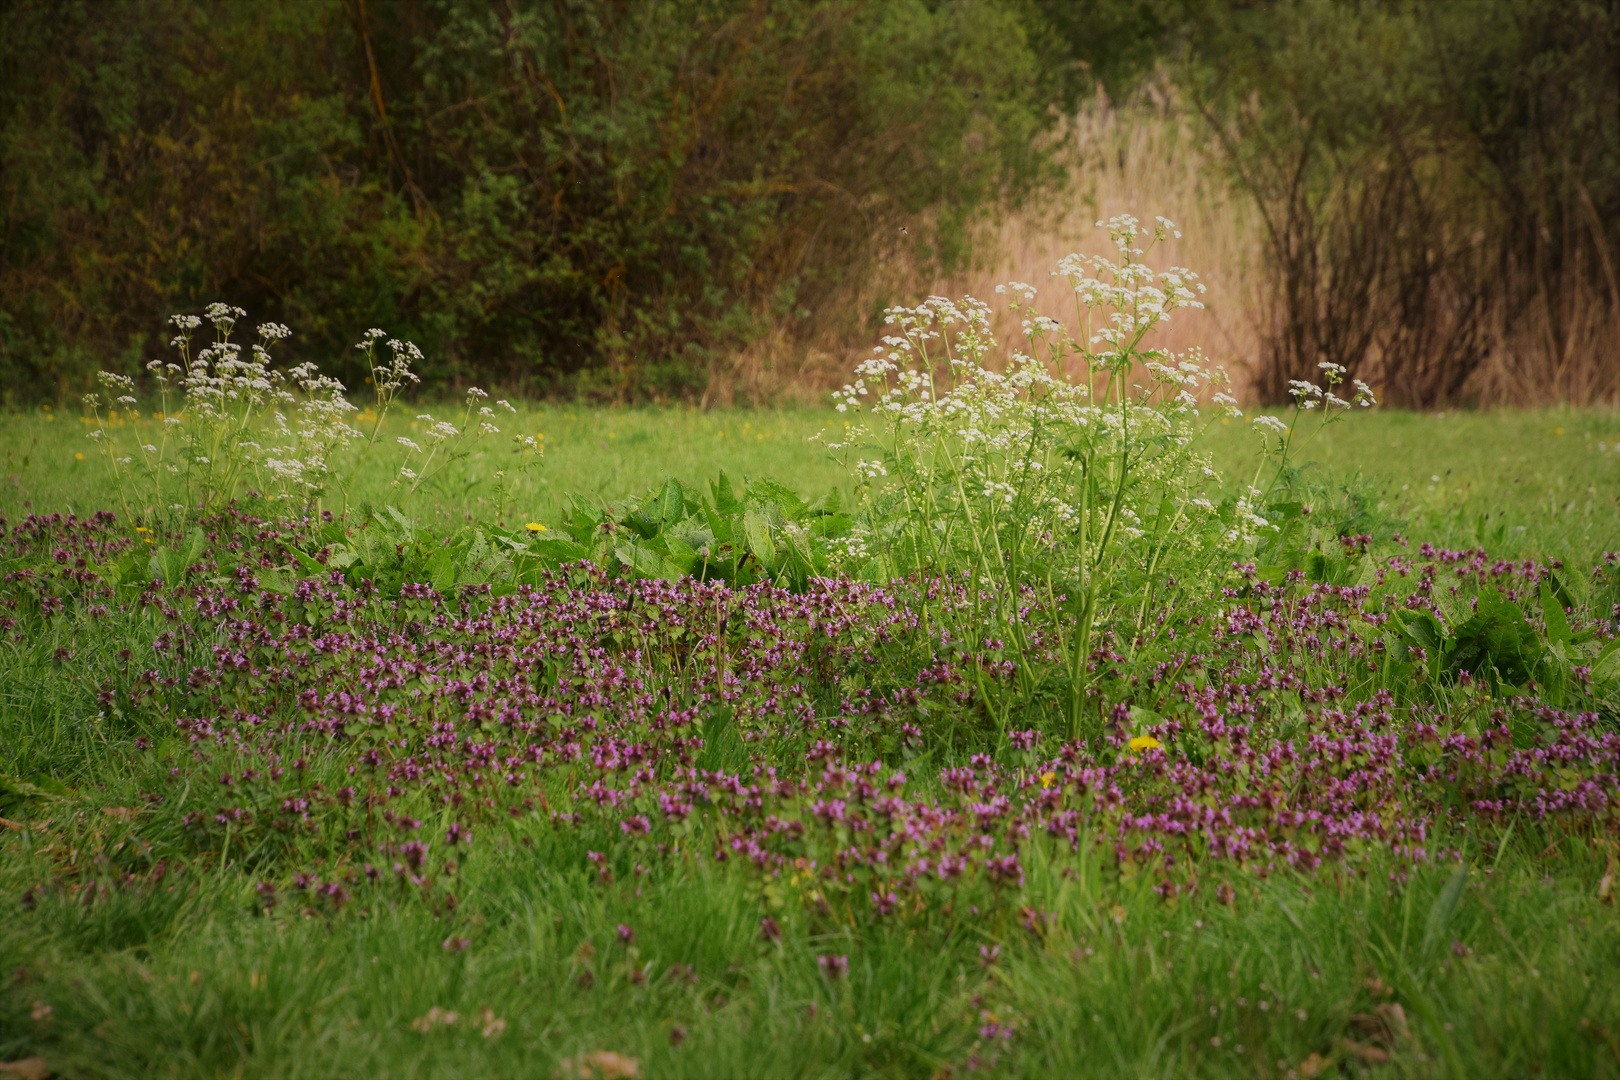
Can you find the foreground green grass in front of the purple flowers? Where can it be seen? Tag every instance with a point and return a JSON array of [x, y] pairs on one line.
[[1516, 982]]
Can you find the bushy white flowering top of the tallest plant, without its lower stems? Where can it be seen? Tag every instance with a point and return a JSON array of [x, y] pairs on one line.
[[989, 457]]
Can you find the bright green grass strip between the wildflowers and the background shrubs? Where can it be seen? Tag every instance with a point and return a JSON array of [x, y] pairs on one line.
[[1528, 483]]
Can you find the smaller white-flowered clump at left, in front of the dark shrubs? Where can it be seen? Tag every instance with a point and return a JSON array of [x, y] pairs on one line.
[[229, 422]]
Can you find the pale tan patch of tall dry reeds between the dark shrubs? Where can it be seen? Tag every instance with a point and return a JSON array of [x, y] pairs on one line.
[[1141, 158]]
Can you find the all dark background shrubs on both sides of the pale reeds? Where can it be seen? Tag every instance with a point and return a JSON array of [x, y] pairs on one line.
[[615, 198]]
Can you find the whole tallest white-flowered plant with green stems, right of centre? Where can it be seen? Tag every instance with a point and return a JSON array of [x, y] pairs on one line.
[[1072, 475]]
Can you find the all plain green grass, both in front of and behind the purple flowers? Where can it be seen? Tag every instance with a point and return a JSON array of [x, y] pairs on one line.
[[1125, 985]]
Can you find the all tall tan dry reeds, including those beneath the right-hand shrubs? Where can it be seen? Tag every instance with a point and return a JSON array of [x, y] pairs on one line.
[[1148, 158]]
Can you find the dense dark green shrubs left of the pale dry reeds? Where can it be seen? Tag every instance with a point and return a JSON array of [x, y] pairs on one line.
[[532, 192]]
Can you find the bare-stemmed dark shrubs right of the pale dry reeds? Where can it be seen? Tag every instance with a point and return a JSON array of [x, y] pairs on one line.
[[1439, 189]]
